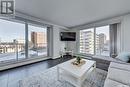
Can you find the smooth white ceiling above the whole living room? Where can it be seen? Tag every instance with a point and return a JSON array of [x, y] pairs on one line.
[[71, 13]]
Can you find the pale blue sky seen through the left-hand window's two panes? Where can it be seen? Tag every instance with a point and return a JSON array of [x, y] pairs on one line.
[[12, 30]]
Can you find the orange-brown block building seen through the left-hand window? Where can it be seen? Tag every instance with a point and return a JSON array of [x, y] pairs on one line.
[[38, 39]]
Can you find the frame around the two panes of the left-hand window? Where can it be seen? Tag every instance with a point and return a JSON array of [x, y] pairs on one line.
[[26, 24]]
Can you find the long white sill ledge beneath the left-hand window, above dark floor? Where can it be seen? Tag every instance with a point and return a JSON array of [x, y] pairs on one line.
[[13, 64]]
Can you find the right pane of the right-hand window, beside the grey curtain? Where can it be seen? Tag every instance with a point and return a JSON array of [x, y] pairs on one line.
[[102, 41]]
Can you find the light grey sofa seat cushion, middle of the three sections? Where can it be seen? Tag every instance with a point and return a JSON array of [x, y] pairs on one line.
[[119, 75]]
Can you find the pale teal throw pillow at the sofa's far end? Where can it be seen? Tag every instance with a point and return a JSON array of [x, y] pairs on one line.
[[124, 56]]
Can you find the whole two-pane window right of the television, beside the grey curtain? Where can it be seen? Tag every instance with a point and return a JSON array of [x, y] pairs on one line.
[[95, 41]]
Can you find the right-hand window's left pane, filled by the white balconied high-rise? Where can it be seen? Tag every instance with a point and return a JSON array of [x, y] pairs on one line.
[[87, 41]]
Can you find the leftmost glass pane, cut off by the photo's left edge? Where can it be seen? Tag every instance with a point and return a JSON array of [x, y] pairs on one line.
[[12, 40]]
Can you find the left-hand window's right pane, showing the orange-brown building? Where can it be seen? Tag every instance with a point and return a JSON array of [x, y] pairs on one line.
[[37, 41]]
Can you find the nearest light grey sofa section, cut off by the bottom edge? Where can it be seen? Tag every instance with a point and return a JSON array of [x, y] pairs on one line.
[[112, 83]]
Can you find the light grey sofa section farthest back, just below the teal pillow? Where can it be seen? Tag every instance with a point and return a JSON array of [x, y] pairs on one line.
[[123, 66]]
